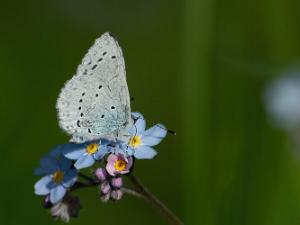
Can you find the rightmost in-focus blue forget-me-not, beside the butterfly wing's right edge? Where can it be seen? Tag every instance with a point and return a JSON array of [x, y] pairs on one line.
[[142, 140]]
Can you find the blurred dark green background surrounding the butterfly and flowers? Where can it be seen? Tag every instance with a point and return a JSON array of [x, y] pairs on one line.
[[198, 66]]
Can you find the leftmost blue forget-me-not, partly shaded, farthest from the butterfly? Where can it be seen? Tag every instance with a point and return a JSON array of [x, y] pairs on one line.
[[59, 176]]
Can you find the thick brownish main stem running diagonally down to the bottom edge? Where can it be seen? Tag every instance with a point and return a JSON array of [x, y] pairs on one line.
[[147, 195]]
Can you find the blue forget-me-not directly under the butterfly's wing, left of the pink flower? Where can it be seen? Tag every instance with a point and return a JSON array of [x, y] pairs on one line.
[[87, 153]]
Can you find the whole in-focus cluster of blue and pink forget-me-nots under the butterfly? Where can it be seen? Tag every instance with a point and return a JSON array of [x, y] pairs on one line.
[[61, 167]]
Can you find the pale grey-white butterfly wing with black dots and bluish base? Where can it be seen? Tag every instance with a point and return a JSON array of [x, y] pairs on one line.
[[95, 103]]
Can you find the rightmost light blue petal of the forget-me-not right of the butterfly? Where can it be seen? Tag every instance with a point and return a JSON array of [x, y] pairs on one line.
[[154, 135]]
